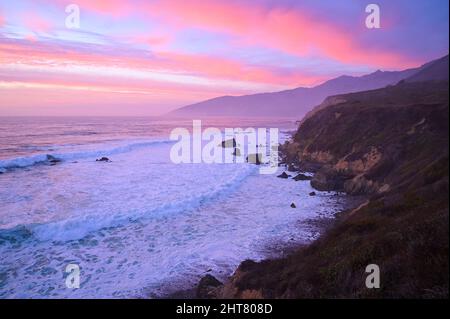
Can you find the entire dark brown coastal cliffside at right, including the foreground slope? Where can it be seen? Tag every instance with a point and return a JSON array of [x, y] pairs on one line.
[[391, 144]]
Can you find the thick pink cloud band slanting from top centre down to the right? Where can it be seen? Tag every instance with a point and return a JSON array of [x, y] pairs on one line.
[[290, 31]]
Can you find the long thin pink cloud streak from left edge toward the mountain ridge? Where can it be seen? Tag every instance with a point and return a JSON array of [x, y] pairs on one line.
[[39, 54]]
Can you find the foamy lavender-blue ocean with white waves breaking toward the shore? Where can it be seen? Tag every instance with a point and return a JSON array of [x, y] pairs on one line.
[[138, 226]]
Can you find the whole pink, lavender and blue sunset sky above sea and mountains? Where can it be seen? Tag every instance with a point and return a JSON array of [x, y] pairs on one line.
[[149, 57]]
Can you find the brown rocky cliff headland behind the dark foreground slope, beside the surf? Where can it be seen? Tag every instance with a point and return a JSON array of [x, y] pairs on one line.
[[370, 142]]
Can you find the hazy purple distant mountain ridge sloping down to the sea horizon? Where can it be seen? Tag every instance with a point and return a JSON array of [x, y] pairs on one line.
[[296, 102]]
